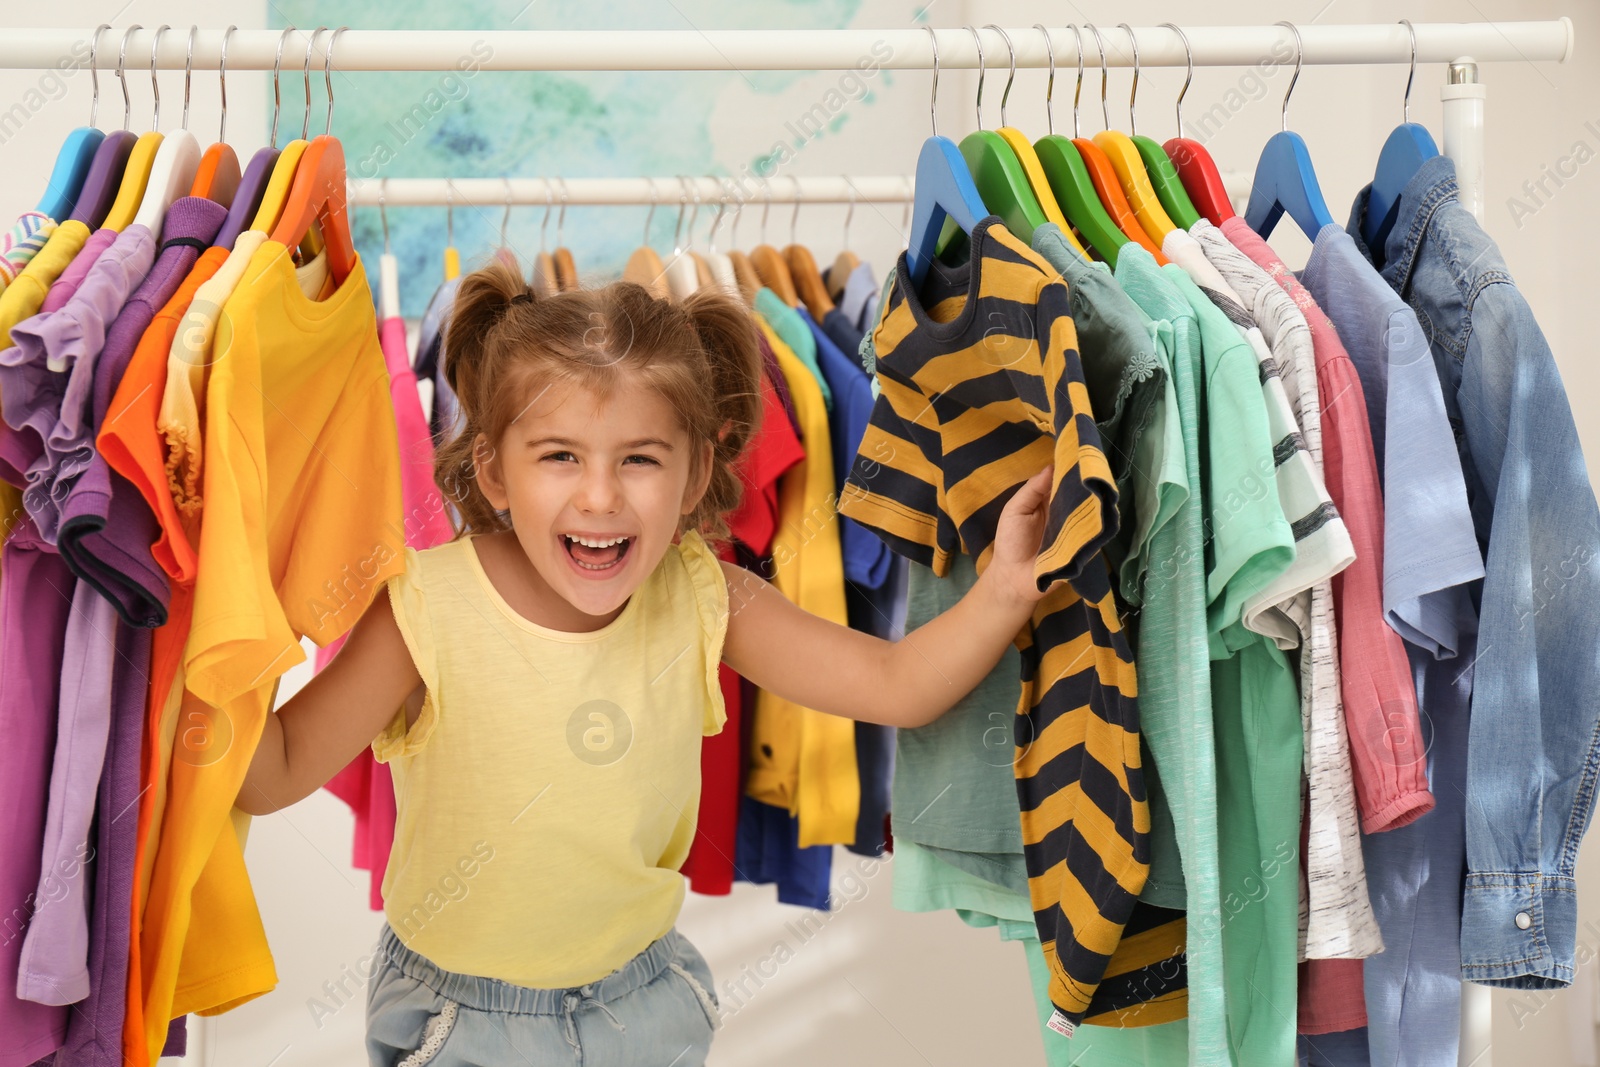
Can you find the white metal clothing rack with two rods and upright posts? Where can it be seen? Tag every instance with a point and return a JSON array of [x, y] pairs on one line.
[[1463, 46]]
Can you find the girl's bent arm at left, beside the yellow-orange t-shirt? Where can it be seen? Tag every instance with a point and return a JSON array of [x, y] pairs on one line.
[[338, 714]]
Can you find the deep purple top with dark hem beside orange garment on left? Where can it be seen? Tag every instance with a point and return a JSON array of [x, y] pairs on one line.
[[106, 527]]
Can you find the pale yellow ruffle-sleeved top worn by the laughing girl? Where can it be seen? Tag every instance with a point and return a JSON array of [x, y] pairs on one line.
[[550, 788]]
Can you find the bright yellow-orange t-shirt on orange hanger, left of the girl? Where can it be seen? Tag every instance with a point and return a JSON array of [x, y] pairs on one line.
[[303, 526]]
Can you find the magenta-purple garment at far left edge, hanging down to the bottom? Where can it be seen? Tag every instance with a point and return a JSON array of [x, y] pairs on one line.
[[34, 602]]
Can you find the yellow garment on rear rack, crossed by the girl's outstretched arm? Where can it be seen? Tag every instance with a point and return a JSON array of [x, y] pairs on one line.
[[802, 759]]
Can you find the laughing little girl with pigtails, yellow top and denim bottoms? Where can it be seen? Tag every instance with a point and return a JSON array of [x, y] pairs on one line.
[[542, 684]]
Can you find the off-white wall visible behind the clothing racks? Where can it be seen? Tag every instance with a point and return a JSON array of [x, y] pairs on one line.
[[879, 986]]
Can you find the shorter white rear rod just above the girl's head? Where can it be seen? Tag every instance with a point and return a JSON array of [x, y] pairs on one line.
[[487, 193]]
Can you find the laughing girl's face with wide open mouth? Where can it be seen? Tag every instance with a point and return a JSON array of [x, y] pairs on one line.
[[596, 489]]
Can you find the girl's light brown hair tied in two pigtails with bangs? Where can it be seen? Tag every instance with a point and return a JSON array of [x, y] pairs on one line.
[[506, 342]]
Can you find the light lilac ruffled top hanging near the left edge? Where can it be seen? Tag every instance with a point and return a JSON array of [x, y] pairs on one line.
[[49, 374]]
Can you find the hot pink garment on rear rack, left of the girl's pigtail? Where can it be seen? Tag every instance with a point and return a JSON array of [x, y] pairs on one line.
[[367, 785]]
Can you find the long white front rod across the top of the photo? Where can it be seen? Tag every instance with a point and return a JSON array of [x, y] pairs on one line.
[[791, 50]]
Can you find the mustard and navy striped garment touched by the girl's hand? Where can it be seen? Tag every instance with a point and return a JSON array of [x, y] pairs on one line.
[[980, 390]]
